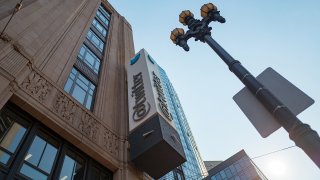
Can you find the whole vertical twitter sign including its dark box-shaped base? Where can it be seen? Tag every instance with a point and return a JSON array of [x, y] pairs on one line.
[[155, 146]]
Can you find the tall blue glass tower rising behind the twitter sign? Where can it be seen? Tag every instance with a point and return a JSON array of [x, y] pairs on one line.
[[193, 168]]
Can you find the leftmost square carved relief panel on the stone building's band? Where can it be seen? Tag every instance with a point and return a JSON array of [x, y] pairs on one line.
[[37, 86]]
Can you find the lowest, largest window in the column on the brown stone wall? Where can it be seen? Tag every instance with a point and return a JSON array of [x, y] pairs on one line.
[[80, 88]]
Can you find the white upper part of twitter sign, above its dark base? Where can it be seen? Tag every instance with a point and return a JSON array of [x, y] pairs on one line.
[[146, 93]]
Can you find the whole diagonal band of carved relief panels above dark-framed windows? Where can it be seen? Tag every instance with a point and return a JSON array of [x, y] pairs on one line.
[[71, 112]]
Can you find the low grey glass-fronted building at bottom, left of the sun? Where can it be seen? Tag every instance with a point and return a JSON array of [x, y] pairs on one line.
[[237, 167]]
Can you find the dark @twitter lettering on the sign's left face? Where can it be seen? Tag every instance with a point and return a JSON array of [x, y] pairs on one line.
[[141, 107]]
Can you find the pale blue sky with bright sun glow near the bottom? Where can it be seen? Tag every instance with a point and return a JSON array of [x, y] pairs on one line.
[[284, 35]]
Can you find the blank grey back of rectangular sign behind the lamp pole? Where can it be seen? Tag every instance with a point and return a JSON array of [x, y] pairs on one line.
[[292, 97]]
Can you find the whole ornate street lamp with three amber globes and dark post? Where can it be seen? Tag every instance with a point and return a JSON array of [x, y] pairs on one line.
[[303, 136]]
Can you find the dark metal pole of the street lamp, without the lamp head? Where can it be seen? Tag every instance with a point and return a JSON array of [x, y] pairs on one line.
[[303, 136]]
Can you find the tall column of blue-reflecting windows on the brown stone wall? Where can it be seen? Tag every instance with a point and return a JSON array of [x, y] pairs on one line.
[[78, 84]]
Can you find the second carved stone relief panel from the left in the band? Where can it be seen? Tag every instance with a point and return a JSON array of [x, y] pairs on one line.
[[64, 107]]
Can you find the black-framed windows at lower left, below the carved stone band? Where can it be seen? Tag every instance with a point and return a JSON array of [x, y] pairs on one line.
[[30, 151]]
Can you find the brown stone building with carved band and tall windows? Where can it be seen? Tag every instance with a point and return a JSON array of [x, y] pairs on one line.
[[63, 91]]
